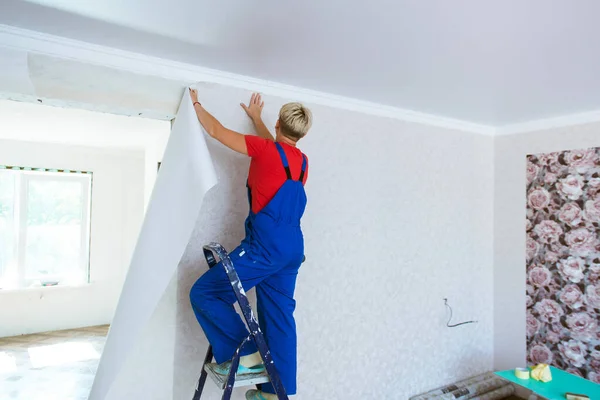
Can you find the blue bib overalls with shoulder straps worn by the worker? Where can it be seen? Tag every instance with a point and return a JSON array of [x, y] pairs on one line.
[[268, 258]]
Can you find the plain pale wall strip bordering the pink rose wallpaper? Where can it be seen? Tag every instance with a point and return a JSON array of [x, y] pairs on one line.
[[509, 230]]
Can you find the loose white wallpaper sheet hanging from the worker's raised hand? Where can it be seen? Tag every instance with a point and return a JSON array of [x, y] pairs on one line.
[[186, 175]]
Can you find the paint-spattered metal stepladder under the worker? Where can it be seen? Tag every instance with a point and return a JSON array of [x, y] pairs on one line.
[[255, 334]]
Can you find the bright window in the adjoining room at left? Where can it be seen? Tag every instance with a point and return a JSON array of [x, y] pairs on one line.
[[44, 227]]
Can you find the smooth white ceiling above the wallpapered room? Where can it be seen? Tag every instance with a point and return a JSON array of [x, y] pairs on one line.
[[489, 62]]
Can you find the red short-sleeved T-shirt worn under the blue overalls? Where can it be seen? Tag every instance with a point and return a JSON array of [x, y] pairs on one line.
[[266, 173]]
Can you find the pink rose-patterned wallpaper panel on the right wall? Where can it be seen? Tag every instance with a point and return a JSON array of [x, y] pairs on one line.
[[563, 261]]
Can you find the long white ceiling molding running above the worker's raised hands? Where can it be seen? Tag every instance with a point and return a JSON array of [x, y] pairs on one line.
[[40, 43]]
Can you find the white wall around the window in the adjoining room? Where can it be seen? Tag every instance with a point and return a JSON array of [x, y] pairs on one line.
[[117, 211]]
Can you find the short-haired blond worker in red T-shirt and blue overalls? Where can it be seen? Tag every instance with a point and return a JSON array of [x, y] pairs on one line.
[[270, 255]]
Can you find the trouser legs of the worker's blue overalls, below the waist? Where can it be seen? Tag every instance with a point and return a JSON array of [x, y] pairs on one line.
[[212, 300]]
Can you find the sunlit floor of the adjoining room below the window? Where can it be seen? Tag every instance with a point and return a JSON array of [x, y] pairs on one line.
[[56, 365]]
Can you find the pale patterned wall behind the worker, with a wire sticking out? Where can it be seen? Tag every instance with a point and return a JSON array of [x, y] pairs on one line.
[[399, 217]]
